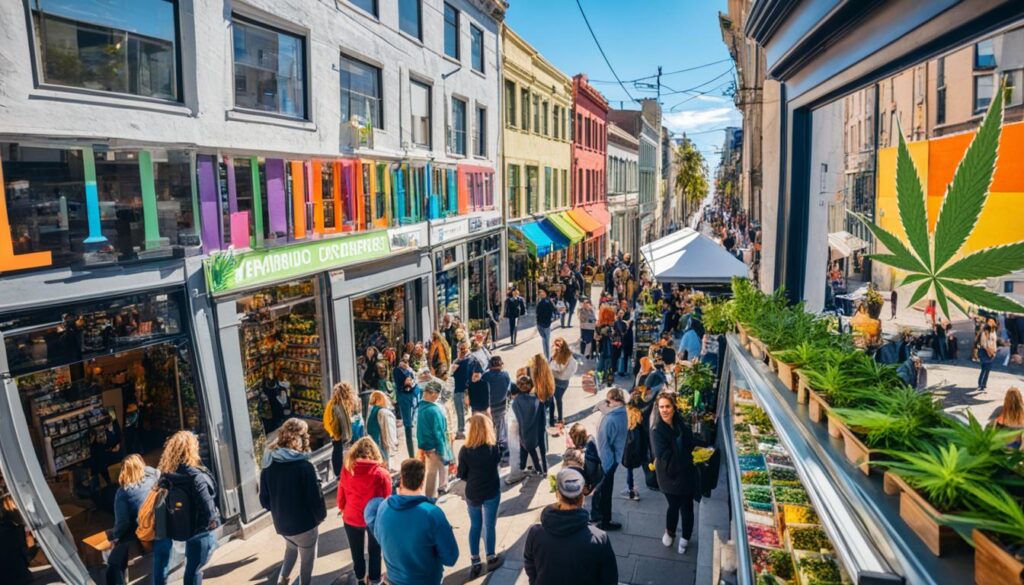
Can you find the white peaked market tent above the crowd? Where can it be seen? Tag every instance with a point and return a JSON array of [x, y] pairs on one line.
[[690, 258]]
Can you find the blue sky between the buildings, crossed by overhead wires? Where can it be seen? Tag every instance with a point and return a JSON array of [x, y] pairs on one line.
[[638, 36]]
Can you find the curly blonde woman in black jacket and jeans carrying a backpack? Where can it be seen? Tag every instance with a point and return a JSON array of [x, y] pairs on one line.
[[189, 513]]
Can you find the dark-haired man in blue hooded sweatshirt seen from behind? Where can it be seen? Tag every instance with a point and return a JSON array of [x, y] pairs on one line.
[[415, 536]]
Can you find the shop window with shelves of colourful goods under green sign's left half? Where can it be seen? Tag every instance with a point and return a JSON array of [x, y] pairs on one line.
[[280, 329]]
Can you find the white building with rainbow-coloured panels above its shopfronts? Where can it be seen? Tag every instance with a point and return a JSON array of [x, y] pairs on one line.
[[210, 212]]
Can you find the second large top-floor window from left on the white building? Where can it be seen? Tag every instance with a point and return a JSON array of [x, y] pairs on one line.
[[270, 70]]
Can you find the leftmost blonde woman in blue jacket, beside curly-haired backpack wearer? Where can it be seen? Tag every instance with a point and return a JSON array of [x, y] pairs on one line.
[[137, 481]]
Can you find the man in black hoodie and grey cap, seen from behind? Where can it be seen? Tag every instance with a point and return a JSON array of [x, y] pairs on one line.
[[566, 534]]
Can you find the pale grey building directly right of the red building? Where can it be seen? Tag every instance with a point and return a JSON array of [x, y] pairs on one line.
[[624, 197]]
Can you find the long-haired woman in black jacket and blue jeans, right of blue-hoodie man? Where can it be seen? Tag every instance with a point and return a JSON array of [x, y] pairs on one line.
[[479, 462]]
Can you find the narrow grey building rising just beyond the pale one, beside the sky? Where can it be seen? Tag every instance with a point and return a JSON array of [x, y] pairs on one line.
[[649, 139]]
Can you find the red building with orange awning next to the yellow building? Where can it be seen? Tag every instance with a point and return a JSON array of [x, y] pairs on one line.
[[590, 211]]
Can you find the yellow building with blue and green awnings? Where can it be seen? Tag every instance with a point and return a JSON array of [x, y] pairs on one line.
[[536, 162]]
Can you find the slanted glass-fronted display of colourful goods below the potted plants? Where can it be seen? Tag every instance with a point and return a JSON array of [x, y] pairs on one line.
[[787, 544]]
